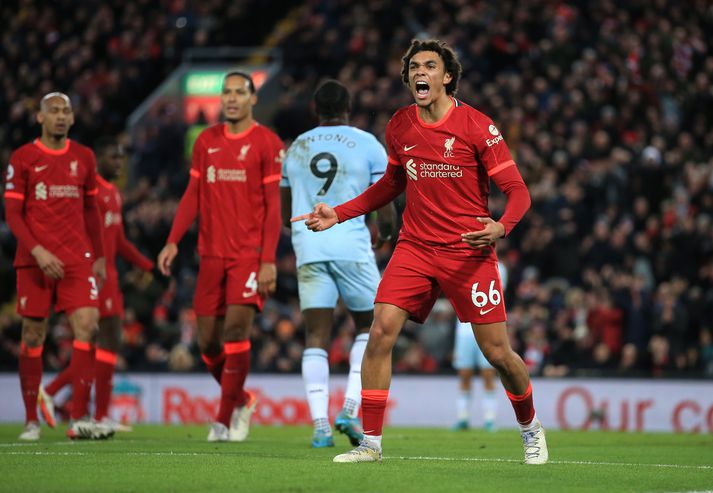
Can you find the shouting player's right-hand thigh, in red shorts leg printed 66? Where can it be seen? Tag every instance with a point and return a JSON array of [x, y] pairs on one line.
[[473, 287]]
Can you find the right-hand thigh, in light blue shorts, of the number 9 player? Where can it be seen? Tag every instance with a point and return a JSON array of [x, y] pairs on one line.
[[357, 283]]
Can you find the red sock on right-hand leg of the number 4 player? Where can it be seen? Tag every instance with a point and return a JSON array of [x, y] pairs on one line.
[[235, 370]]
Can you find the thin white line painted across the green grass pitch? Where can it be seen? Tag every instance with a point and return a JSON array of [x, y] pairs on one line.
[[462, 459]]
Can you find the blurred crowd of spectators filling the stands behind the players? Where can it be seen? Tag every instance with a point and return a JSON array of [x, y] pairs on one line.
[[607, 109]]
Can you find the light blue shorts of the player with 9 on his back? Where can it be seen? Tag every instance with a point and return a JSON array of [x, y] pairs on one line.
[[321, 284]]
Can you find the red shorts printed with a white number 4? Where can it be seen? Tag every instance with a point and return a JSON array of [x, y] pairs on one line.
[[226, 281]]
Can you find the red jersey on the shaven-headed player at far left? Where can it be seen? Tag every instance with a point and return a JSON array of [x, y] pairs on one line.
[[53, 184]]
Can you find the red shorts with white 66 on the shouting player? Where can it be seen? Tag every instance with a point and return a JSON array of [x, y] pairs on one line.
[[415, 276]]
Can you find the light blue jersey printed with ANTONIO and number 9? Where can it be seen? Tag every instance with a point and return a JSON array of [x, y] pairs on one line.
[[331, 164]]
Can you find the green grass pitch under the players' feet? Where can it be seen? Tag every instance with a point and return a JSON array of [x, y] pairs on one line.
[[274, 459]]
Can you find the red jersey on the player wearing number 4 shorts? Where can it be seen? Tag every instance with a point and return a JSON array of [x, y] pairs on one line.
[[233, 170]]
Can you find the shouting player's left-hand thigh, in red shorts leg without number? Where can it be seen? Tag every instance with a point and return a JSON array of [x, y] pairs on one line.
[[409, 282]]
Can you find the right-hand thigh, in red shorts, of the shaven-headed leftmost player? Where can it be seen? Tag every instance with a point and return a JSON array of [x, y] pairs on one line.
[[77, 289]]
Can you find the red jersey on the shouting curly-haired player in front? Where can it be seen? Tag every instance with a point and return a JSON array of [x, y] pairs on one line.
[[448, 165]]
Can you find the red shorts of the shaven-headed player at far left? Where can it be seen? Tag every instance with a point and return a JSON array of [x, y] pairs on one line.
[[36, 292]]
